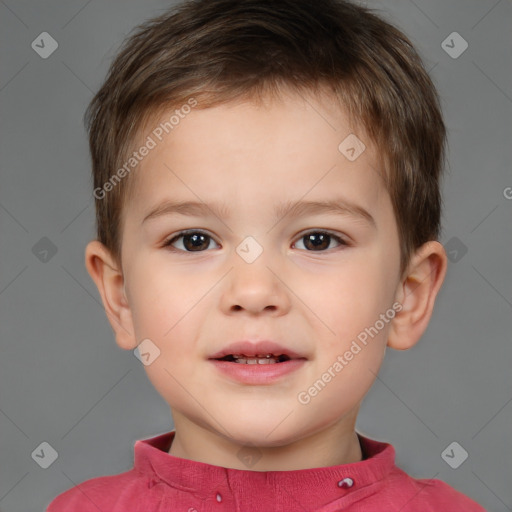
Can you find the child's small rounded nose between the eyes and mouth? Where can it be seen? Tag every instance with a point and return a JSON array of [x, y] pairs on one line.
[[255, 288]]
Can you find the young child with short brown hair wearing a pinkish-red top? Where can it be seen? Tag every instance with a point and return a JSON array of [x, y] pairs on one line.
[[266, 176]]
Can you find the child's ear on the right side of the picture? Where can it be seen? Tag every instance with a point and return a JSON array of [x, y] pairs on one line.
[[416, 293]]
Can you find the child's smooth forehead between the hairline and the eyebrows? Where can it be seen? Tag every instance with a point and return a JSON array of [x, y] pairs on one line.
[[279, 148]]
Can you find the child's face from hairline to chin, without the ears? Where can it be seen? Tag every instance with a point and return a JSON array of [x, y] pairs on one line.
[[252, 267]]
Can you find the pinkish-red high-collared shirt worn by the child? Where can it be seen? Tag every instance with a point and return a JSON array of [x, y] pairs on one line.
[[160, 482]]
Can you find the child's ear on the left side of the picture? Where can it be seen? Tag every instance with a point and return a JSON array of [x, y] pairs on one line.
[[110, 283]]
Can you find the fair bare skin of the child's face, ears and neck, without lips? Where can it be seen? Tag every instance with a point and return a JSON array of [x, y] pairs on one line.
[[252, 156]]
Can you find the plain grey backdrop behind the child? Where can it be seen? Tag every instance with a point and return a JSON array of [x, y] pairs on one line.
[[64, 381]]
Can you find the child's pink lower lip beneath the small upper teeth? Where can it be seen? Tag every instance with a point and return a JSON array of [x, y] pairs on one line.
[[258, 373]]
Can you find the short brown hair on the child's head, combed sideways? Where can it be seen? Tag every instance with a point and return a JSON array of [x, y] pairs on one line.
[[221, 50]]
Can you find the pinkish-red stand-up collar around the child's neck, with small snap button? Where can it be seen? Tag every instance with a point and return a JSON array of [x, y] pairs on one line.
[[314, 486]]
